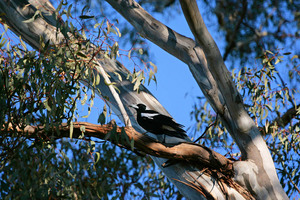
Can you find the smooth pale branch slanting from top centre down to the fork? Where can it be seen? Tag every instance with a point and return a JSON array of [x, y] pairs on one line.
[[168, 39]]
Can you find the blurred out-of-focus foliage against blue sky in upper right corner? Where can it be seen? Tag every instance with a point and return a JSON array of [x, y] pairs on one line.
[[250, 27]]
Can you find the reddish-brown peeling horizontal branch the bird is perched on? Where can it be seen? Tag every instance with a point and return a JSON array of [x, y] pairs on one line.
[[186, 151]]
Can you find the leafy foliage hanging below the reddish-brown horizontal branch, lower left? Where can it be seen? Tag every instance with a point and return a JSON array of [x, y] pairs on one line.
[[80, 170]]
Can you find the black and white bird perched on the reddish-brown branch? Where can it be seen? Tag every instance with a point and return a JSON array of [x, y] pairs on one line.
[[157, 123]]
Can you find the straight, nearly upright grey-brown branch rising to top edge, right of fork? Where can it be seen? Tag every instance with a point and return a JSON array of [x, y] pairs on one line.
[[216, 66]]
